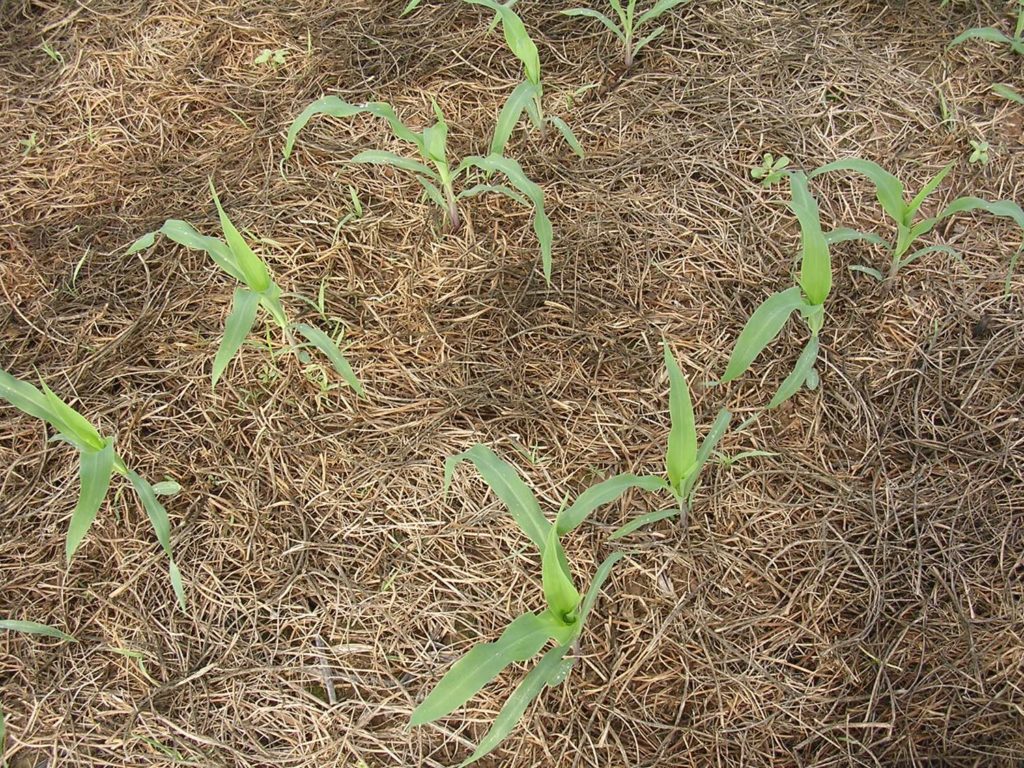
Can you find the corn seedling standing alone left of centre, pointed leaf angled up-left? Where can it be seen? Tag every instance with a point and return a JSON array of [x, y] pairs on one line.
[[259, 290]]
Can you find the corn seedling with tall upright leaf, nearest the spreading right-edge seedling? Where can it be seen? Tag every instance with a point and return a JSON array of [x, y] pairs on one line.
[[807, 297]]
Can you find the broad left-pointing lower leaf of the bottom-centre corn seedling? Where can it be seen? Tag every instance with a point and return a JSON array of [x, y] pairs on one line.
[[523, 639]]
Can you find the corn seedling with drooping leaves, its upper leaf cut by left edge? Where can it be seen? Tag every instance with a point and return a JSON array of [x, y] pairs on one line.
[[98, 463]]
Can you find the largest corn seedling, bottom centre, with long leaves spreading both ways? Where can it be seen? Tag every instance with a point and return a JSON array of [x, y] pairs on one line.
[[530, 634]]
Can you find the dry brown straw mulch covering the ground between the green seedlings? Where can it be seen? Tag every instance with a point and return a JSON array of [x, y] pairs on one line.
[[854, 600]]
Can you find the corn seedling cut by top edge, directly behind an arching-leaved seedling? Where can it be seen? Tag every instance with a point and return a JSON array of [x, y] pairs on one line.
[[529, 96]]
